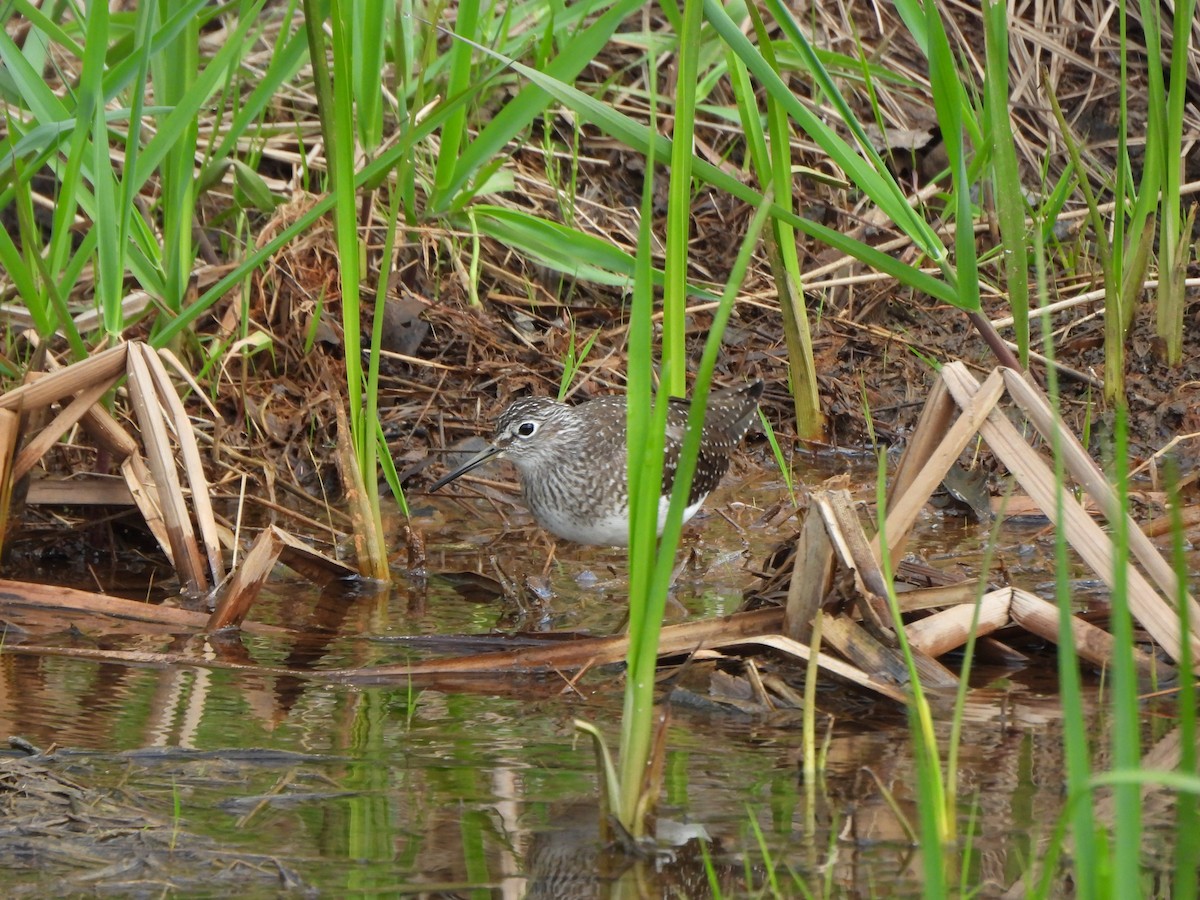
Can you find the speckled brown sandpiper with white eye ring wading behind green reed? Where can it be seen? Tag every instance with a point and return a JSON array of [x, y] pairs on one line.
[[572, 460]]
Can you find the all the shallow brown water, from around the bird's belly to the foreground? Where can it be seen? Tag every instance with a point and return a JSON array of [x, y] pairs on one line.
[[307, 788]]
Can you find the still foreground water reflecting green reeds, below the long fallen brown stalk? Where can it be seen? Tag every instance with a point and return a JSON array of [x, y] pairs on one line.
[[387, 789]]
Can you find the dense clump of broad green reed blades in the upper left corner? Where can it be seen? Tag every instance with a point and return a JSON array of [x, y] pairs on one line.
[[69, 135]]
